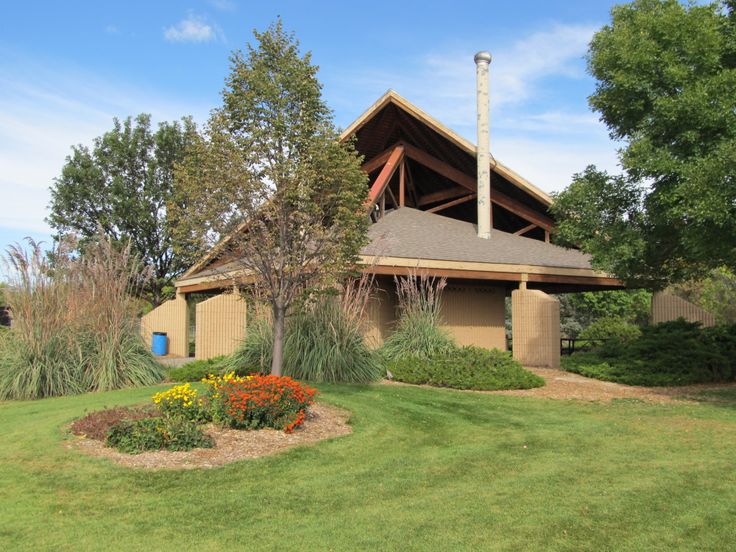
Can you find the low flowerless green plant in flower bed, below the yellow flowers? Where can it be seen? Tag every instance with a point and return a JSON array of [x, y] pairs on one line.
[[161, 433]]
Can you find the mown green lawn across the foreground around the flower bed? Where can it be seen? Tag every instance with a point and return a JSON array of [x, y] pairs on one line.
[[424, 470]]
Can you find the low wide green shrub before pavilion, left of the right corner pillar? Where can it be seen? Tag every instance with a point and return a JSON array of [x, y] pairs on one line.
[[465, 368]]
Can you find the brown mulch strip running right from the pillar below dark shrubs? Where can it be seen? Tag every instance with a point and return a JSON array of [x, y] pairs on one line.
[[567, 385]]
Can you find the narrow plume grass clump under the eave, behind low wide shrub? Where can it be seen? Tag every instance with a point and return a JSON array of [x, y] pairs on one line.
[[418, 332]]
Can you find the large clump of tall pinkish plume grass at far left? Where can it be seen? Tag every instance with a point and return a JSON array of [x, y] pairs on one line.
[[74, 322]]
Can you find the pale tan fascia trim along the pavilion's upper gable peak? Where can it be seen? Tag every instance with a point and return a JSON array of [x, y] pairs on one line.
[[392, 97]]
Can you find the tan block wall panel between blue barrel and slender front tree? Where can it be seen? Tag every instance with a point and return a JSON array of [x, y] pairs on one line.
[[221, 324]]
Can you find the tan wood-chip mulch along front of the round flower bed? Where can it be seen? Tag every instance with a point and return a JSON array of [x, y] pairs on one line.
[[231, 445]]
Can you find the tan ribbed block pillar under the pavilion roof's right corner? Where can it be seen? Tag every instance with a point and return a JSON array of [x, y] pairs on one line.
[[535, 319]]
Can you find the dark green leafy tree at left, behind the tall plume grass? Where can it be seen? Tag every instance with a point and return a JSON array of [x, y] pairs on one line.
[[121, 185]]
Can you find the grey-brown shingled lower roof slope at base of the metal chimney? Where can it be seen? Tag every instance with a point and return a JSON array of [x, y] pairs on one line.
[[410, 233]]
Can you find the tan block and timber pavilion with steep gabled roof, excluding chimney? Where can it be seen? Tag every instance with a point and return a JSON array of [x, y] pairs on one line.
[[423, 202]]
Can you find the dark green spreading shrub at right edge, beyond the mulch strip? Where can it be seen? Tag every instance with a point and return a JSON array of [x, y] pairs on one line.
[[672, 353]]
